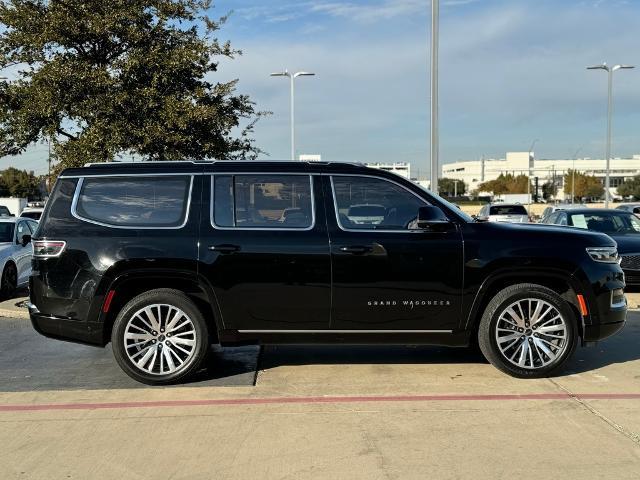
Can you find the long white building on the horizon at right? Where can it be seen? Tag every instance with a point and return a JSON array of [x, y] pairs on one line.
[[474, 172]]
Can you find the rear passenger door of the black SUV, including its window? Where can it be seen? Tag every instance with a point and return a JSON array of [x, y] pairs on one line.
[[264, 248]]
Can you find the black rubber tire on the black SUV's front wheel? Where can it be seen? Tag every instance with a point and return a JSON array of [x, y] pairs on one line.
[[487, 333]]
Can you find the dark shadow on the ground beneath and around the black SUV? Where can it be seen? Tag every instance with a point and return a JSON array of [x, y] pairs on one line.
[[30, 362]]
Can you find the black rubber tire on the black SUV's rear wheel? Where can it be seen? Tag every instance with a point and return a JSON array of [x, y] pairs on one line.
[[164, 298]]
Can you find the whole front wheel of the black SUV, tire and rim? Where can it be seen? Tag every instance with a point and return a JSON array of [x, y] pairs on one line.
[[528, 331]]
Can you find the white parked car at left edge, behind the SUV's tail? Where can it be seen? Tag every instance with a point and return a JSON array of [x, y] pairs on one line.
[[15, 253]]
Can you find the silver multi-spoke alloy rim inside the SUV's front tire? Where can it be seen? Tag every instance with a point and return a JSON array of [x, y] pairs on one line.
[[531, 333]]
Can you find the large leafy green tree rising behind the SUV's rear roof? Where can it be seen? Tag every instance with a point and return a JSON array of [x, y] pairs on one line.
[[107, 78]]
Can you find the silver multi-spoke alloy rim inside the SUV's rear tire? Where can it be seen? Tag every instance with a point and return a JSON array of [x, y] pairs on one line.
[[160, 339]]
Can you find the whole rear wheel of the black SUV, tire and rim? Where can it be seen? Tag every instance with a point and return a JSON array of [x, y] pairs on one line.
[[160, 337]]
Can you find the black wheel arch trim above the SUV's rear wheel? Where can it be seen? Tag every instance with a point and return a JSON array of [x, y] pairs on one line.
[[132, 283]]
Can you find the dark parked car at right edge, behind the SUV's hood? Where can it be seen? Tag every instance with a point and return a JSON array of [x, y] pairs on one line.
[[623, 226]]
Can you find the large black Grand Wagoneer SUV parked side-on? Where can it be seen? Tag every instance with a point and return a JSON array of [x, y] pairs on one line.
[[164, 259]]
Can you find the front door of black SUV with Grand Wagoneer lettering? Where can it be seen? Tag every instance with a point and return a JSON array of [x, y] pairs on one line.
[[387, 275]]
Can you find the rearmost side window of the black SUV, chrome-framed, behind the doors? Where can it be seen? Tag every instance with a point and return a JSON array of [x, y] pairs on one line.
[[145, 202]]
